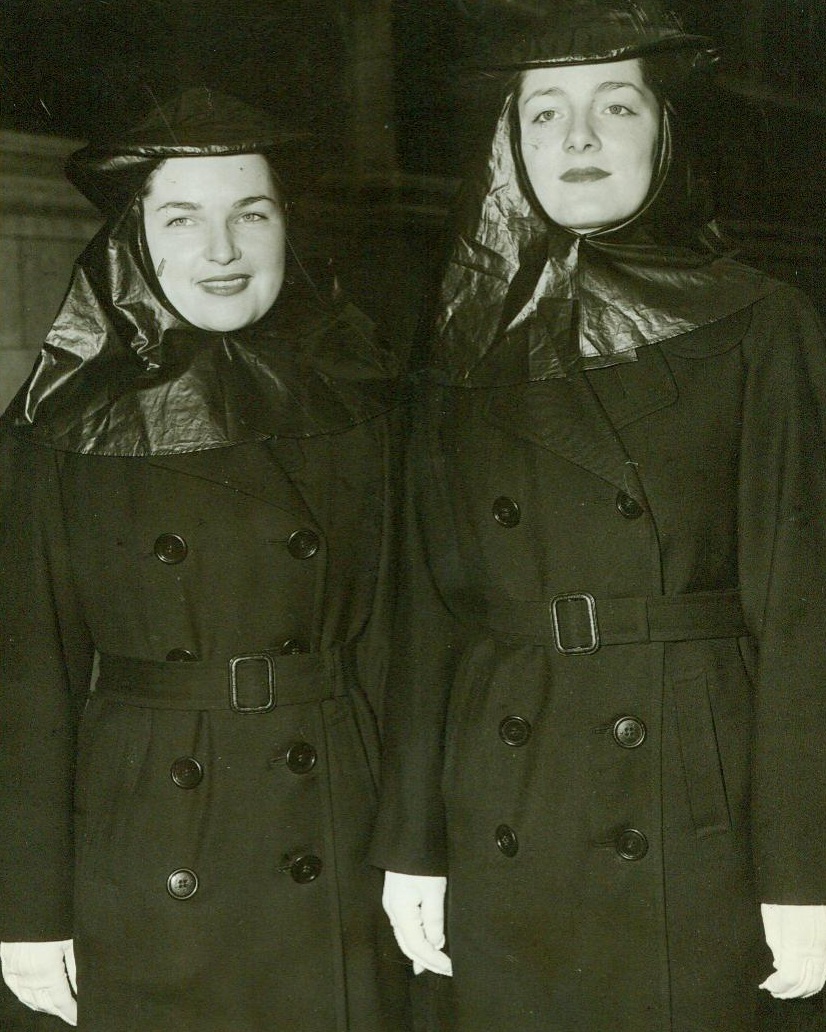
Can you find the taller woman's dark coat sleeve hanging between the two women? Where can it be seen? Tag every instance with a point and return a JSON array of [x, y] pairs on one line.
[[410, 831]]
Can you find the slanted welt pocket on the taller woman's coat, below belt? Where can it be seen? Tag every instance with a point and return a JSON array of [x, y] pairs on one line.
[[701, 755]]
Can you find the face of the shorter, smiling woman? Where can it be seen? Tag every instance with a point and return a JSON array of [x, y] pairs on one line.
[[215, 231]]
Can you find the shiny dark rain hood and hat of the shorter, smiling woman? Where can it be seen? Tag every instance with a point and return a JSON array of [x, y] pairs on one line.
[[122, 374]]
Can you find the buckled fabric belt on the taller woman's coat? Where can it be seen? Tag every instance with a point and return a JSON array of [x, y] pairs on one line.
[[579, 624]]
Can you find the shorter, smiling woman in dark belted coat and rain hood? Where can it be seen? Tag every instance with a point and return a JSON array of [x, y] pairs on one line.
[[197, 490]]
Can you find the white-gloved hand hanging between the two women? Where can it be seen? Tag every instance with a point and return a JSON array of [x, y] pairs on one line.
[[416, 905]]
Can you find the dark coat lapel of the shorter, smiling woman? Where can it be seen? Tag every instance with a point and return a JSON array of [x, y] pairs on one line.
[[261, 471]]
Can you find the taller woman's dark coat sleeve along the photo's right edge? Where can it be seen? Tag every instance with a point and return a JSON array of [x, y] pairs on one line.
[[783, 580]]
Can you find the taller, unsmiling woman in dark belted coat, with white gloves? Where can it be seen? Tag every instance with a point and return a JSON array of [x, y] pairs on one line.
[[608, 711]]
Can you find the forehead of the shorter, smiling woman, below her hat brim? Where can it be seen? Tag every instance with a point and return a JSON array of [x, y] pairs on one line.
[[225, 177]]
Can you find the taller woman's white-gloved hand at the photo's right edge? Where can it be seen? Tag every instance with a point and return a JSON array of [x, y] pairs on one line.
[[797, 937]]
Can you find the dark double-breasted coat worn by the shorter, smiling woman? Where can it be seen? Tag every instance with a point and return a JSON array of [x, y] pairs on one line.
[[281, 545]]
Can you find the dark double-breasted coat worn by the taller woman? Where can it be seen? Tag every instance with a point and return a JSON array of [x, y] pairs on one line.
[[610, 823]]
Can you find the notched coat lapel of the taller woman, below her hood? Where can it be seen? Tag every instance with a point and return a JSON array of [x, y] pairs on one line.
[[578, 417]]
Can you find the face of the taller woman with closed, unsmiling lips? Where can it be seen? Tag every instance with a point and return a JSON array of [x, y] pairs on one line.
[[589, 140]]
